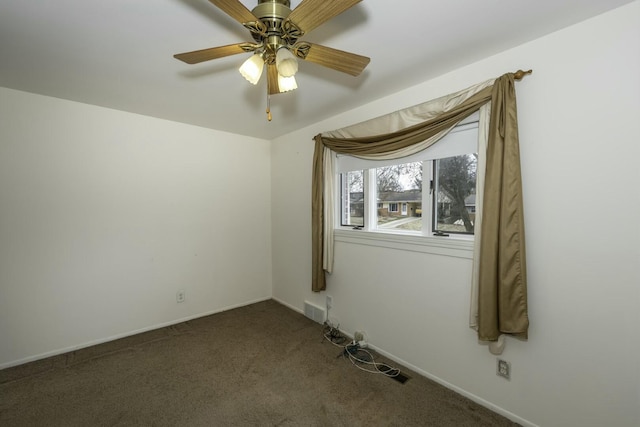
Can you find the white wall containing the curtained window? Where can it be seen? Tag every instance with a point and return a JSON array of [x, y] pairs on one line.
[[580, 146]]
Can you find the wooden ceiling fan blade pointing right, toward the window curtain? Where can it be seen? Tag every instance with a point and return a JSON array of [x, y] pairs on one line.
[[339, 60]]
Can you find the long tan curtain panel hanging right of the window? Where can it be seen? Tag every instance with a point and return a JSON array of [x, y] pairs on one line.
[[502, 287]]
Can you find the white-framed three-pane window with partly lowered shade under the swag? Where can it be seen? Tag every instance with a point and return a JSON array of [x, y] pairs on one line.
[[428, 193]]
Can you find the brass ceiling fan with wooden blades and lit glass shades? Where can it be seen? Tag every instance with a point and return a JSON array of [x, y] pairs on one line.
[[276, 29]]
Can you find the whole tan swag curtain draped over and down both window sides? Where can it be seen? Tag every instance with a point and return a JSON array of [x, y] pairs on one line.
[[502, 290]]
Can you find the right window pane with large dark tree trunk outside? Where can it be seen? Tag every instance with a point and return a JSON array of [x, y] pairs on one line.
[[454, 193]]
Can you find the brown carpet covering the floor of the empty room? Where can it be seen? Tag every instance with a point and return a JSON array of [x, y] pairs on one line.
[[260, 365]]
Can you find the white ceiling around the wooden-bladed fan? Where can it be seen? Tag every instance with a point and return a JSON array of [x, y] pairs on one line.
[[119, 54]]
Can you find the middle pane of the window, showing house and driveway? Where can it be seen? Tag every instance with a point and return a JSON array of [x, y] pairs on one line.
[[399, 196]]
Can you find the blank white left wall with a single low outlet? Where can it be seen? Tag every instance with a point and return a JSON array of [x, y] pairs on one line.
[[105, 215]]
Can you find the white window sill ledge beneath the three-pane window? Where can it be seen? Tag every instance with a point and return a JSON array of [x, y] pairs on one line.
[[454, 246]]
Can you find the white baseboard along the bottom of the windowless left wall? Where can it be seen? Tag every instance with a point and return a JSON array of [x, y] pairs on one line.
[[126, 334]]
